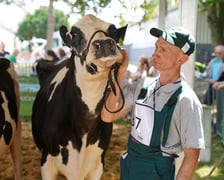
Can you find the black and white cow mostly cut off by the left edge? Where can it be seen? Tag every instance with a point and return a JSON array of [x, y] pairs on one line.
[[10, 125]]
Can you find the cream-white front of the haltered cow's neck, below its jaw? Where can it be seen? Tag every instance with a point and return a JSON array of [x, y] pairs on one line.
[[92, 88]]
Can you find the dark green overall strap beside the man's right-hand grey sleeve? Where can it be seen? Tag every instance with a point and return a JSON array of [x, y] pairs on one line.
[[170, 105]]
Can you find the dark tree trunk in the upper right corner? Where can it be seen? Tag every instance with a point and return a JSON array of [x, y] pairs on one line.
[[213, 9]]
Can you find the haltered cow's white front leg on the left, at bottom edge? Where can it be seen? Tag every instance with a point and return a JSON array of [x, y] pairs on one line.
[[48, 169]]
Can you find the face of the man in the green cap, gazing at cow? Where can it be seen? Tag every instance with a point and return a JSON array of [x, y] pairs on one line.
[[166, 56]]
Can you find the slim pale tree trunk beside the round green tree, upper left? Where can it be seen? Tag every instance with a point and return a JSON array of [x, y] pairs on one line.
[[50, 25]]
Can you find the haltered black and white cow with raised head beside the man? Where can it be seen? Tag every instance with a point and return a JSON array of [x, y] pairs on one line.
[[66, 122]]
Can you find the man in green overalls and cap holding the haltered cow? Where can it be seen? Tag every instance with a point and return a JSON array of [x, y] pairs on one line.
[[166, 114]]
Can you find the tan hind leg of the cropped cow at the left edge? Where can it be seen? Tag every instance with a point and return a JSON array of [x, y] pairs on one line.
[[15, 150]]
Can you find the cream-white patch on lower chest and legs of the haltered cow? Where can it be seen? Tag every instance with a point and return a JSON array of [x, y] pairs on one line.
[[80, 165]]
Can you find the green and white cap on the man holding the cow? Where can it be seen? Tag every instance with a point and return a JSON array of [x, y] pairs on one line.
[[177, 36]]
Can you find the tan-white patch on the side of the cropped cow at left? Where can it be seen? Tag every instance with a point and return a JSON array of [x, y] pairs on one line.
[[8, 118]]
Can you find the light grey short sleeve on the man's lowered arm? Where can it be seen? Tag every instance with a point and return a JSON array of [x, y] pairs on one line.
[[190, 121]]
